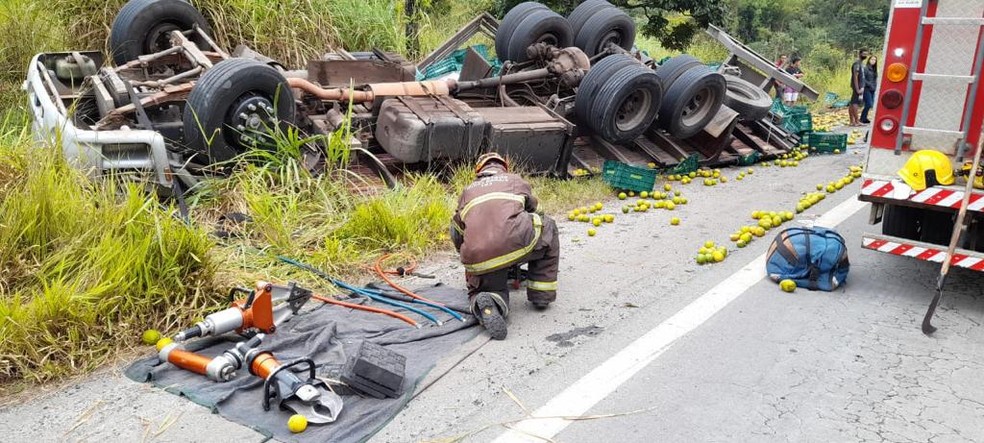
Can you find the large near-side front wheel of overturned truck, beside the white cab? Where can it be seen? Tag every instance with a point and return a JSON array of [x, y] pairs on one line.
[[233, 106]]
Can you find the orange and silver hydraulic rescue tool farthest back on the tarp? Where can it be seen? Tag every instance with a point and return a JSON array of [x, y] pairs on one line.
[[263, 309]]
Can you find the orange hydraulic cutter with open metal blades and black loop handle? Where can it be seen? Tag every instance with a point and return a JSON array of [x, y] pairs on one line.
[[311, 398]]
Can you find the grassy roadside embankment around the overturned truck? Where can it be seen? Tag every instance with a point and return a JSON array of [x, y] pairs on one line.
[[86, 265]]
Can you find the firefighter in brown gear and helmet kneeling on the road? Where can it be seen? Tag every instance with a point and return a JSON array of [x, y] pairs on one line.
[[495, 228]]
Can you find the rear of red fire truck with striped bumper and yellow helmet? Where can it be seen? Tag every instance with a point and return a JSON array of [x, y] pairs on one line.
[[927, 131]]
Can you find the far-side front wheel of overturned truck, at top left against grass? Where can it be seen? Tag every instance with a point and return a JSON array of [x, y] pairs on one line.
[[144, 27]]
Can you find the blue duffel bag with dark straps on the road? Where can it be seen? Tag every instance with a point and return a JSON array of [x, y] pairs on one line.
[[814, 258]]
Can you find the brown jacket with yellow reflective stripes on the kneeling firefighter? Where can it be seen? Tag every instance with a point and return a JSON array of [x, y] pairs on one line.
[[495, 222]]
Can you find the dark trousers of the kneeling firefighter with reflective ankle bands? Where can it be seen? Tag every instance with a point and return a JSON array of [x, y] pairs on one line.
[[541, 284]]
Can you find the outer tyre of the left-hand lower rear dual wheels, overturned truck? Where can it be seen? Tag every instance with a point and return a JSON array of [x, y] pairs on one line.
[[626, 104]]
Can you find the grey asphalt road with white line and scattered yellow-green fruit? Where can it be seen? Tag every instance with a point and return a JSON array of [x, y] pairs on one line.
[[761, 365]]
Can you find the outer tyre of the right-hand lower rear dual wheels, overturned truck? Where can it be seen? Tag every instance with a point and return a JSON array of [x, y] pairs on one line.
[[692, 101]]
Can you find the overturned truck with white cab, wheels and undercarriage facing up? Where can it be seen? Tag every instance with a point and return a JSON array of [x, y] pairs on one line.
[[174, 107]]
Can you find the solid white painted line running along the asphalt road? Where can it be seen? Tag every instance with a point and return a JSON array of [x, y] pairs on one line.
[[579, 397]]
